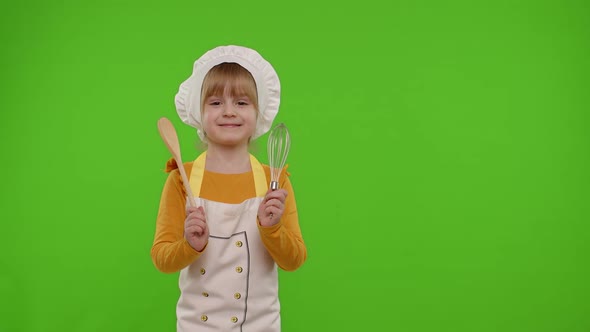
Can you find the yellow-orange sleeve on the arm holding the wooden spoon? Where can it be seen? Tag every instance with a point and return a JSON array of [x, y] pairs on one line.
[[170, 250]]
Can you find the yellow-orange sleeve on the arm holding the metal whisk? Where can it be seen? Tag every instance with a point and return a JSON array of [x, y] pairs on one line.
[[284, 241]]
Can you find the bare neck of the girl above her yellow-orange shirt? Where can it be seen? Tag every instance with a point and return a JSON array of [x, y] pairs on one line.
[[228, 160]]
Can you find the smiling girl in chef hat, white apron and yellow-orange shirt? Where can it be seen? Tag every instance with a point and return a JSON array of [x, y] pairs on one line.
[[227, 250]]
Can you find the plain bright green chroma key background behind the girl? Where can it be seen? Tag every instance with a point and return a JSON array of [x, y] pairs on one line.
[[440, 159]]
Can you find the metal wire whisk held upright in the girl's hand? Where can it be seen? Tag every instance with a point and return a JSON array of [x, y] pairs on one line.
[[278, 146]]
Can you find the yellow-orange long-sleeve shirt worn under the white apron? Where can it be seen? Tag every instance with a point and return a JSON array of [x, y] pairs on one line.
[[171, 252]]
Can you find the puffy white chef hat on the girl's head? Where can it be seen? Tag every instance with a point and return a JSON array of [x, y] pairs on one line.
[[188, 98]]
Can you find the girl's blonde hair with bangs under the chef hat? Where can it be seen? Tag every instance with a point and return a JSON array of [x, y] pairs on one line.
[[232, 78]]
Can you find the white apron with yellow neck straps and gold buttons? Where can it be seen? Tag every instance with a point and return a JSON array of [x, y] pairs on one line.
[[233, 285]]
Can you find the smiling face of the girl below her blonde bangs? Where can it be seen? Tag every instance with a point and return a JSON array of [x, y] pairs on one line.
[[229, 120]]
